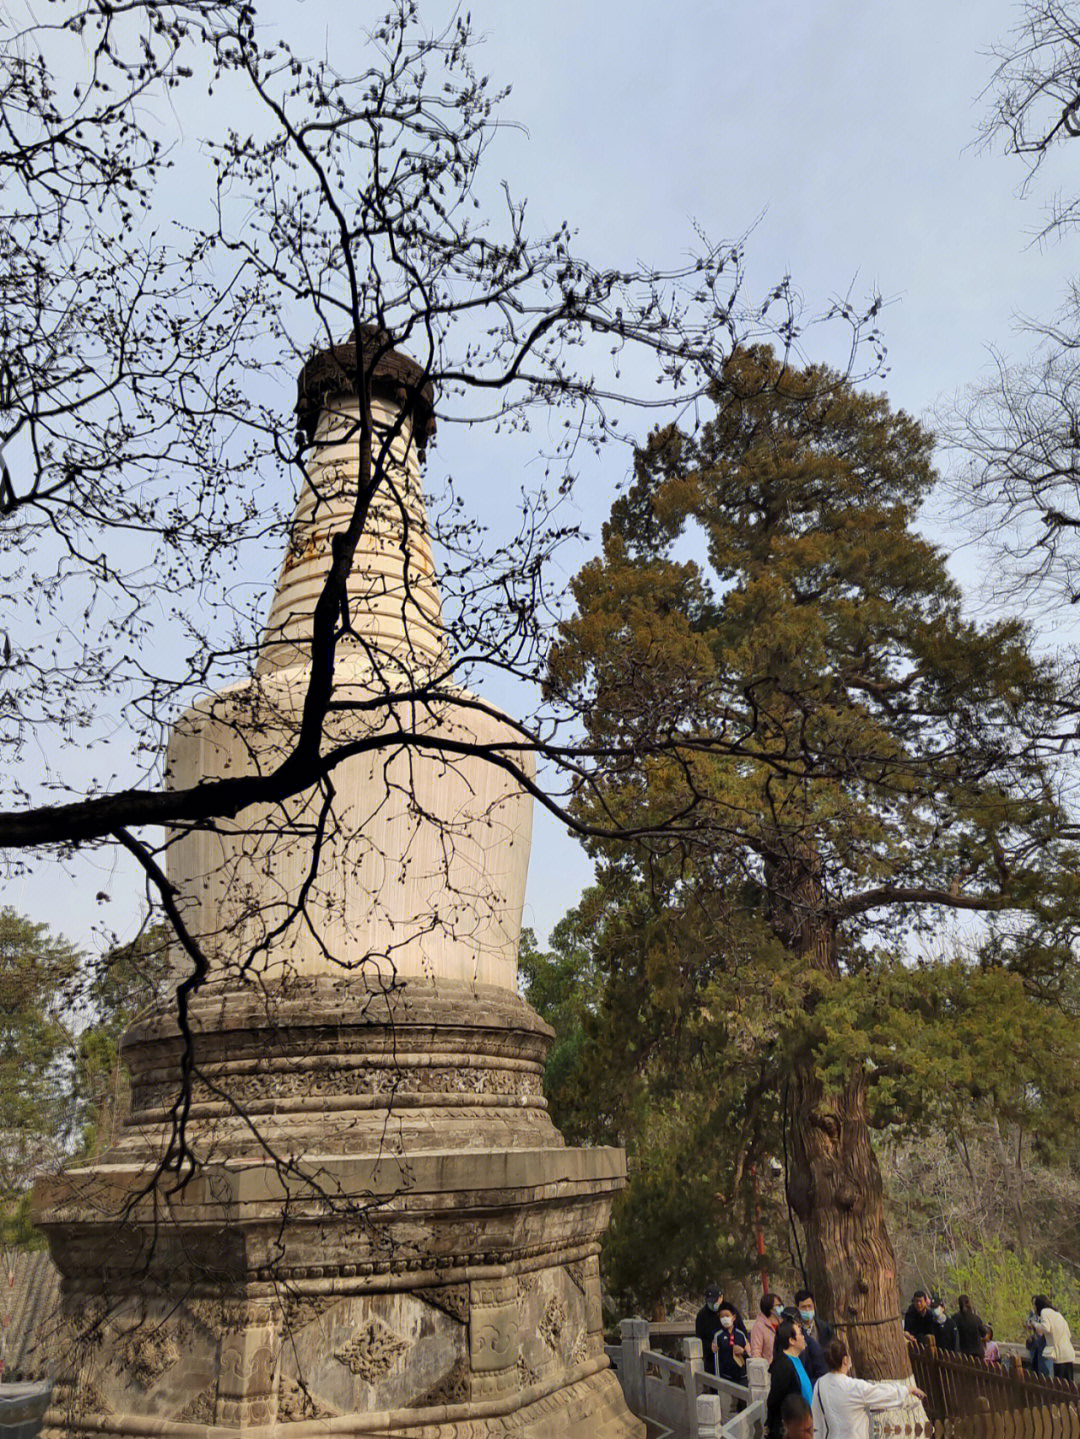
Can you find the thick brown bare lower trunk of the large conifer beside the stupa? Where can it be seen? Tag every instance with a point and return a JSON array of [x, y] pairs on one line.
[[835, 1188]]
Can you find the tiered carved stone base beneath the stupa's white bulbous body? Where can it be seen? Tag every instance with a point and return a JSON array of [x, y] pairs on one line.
[[386, 1233]]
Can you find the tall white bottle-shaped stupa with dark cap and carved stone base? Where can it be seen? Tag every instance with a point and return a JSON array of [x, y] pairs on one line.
[[386, 1233]]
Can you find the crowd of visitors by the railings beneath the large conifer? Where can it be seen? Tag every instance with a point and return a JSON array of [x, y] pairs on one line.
[[813, 1394]]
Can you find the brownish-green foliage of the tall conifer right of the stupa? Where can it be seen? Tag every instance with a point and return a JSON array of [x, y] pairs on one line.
[[830, 758]]
